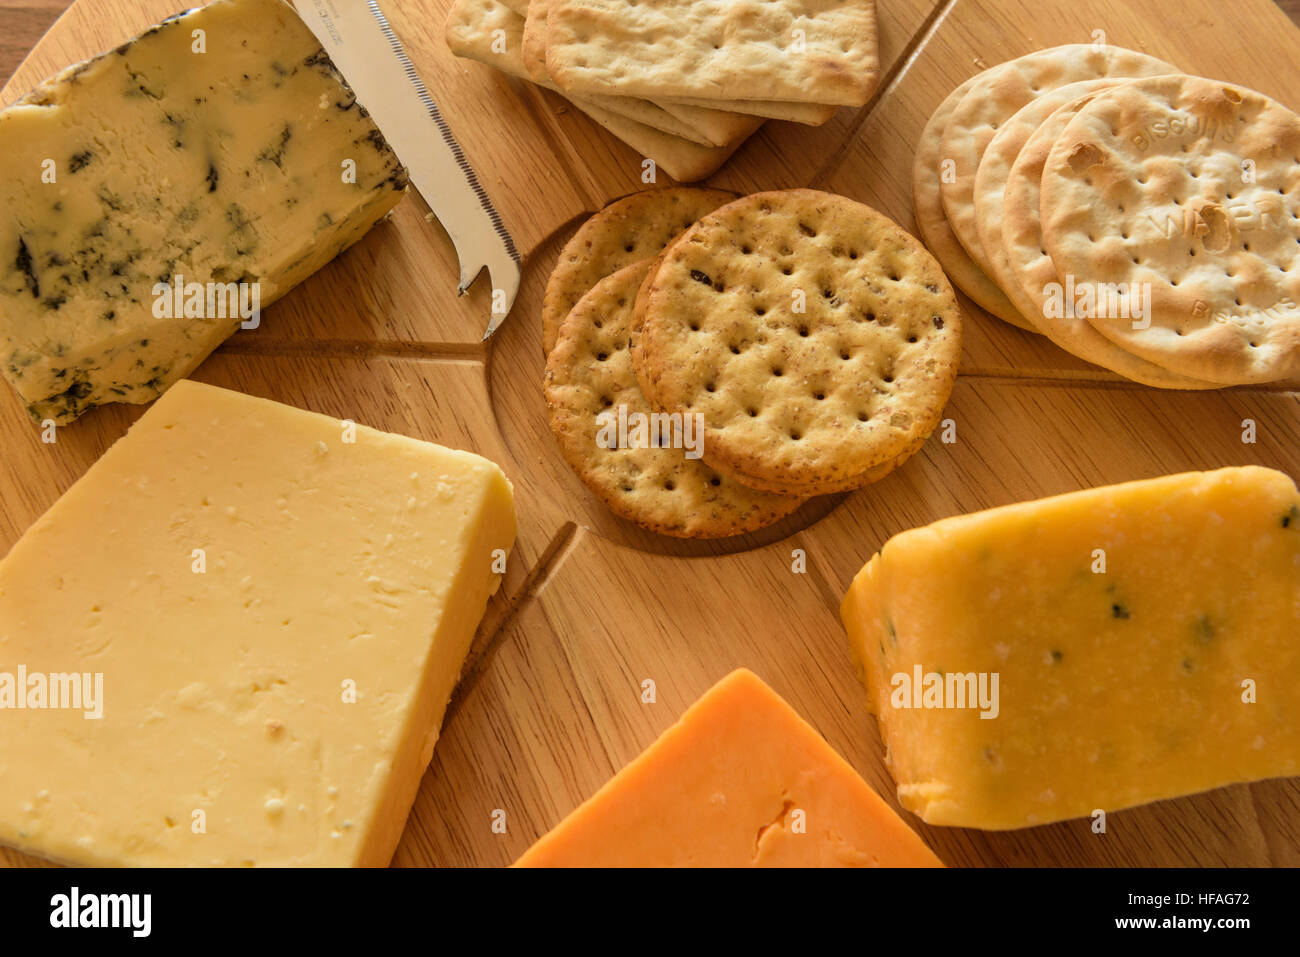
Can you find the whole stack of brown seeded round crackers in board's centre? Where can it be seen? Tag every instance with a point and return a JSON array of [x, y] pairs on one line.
[[807, 341]]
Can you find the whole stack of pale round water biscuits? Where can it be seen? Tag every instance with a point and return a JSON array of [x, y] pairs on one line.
[[1145, 220]]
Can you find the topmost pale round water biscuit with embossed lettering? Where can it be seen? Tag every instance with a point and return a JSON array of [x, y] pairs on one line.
[[1188, 190]]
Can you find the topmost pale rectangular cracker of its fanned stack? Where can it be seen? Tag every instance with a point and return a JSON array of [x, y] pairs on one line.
[[803, 51]]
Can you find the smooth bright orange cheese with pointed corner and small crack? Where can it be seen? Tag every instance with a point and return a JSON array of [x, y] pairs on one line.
[[740, 782]]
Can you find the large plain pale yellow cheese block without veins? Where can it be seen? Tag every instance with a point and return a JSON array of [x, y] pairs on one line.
[[227, 735]]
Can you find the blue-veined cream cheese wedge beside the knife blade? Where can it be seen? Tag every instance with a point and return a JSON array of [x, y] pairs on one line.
[[218, 153]]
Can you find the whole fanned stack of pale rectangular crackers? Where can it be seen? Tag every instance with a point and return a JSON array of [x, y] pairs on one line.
[[683, 83]]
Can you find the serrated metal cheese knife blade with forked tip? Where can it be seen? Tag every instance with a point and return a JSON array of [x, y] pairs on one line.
[[362, 44]]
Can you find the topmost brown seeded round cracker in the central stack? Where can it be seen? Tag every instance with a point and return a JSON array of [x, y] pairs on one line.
[[817, 337]]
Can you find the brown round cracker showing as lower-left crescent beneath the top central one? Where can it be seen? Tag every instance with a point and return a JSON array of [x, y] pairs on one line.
[[590, 374]]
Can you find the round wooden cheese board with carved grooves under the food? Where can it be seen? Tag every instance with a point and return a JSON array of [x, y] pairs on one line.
[[552, 703]]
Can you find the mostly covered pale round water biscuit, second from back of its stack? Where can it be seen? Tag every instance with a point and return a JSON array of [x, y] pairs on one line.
[[995, 99]]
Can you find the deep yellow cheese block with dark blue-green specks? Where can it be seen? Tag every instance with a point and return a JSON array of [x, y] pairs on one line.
[[1089, 652]]
